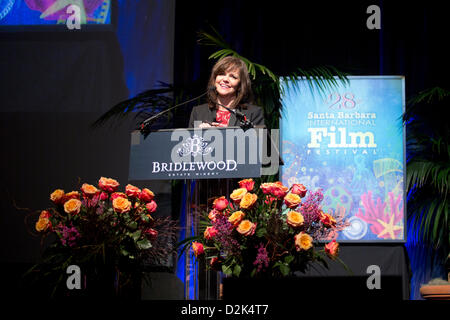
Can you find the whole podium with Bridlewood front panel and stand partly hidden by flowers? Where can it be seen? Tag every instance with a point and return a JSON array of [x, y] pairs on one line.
[[210, 161]]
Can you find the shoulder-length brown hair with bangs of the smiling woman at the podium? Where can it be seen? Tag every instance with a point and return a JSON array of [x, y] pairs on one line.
[[244, 91]]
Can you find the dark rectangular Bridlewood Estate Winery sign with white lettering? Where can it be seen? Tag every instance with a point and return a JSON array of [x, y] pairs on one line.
[[200, 154]]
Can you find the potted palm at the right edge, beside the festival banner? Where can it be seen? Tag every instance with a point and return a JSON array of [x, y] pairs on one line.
[[428, 179]]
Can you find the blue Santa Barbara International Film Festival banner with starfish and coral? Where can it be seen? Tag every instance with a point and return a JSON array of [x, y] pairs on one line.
[[350, 143]]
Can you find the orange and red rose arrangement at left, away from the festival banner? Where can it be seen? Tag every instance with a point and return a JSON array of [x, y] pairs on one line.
[[99, 226]]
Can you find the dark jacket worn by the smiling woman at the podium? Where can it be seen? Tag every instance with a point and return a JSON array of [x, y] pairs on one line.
[[205, 114]]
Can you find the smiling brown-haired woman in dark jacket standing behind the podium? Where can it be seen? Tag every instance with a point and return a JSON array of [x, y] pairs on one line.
[[229, 98]]
